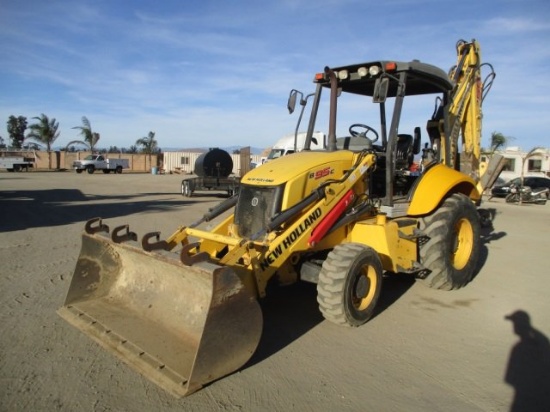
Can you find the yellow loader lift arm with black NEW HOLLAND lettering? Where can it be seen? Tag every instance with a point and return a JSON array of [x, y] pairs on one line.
[[290, 231]]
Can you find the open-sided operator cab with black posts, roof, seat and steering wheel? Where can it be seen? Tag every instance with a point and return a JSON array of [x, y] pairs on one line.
[[386, 84]]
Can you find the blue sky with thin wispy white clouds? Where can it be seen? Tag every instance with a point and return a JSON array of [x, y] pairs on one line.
[[218, 73]]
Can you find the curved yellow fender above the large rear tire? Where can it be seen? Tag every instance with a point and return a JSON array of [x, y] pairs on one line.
[[437, 183]]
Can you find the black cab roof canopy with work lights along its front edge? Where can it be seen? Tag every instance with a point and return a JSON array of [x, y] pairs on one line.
[[422, 78]]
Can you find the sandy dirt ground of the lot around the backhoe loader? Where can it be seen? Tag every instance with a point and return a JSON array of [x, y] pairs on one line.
[[424, 349]]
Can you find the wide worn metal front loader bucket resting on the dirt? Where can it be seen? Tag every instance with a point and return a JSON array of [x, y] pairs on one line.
[[180, 326]]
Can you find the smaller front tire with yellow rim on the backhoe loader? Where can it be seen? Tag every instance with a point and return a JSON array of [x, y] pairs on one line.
[[349, 284]]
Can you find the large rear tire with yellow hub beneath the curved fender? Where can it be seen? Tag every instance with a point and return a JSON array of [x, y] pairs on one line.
[[451, 253]]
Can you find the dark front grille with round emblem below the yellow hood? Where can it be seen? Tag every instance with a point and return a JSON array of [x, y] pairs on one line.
[[255, 208]]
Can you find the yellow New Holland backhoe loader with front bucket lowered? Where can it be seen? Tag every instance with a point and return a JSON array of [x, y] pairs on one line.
[[184, 310]]
